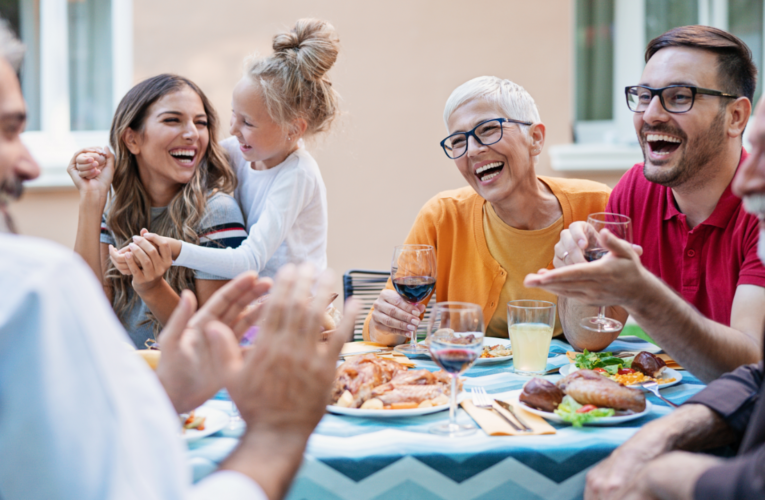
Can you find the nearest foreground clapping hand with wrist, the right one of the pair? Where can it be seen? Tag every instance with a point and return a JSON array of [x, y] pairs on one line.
[[282, 385]]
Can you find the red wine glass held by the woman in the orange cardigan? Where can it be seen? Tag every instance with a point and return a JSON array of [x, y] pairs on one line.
[[413, 272]]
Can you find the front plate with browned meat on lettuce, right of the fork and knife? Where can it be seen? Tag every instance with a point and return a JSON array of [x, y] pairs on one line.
[[584, 397]]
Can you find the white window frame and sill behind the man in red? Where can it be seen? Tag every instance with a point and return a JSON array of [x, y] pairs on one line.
[[611, 145]]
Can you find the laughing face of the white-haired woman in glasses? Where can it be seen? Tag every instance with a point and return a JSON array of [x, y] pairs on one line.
[[494, 170]]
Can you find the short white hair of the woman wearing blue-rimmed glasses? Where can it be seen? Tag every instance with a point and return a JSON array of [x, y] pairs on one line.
[[509, 97]]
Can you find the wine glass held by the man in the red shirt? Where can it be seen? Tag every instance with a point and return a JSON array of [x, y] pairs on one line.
[[621, 227]]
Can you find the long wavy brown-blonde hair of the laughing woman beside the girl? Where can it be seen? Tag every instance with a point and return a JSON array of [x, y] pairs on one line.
[[129, 207]]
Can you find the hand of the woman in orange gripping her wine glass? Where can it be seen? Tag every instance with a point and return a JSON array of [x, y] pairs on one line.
[[393, 319]]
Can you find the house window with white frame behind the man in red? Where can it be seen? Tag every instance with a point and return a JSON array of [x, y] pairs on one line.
[[610, 41]]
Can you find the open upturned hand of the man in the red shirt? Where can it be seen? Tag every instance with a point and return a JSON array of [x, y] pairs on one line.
[[613, 280]]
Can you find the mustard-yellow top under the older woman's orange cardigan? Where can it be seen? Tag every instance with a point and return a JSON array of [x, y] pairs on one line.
[[519, 253]]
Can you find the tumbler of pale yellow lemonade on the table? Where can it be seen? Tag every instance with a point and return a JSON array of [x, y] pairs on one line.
[[530, 326]]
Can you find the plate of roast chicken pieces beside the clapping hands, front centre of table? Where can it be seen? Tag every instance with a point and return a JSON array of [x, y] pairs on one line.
[[370, 386]]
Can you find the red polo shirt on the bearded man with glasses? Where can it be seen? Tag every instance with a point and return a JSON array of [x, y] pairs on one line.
[[704, 264]]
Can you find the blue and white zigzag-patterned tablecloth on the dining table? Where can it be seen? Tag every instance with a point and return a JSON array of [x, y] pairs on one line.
[[367, 459]]
